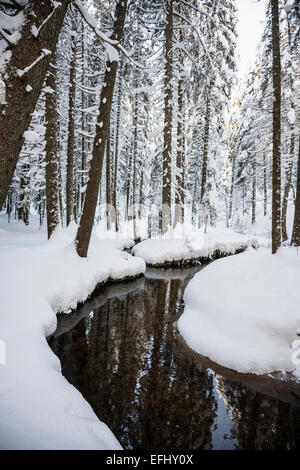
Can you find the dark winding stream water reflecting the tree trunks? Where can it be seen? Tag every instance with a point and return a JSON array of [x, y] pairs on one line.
[[121, 350]]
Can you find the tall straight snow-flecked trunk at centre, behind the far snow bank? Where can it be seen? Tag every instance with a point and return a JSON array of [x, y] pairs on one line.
[[167, 155]]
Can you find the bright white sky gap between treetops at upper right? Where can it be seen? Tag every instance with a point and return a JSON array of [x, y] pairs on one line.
[[251, 16]]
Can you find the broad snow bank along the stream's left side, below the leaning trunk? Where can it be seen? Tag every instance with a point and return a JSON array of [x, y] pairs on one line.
[[39, 409]]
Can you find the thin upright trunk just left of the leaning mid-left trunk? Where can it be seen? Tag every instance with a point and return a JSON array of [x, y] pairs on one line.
[[70, 189]]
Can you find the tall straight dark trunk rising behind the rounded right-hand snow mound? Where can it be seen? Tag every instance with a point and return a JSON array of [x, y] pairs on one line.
[[276, 173]]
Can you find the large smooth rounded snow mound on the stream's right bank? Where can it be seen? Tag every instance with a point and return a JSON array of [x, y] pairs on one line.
[[251, 324]]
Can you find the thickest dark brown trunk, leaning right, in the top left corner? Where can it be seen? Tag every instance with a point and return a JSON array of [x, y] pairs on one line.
[[24, 54]]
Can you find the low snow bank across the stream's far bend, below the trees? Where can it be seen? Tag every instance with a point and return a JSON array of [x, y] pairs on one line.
[[199, 245]]
